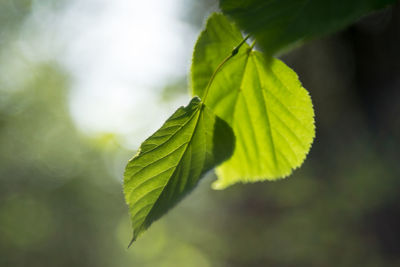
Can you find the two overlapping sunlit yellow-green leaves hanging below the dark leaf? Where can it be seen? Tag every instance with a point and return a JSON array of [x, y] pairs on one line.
[[254, 117]]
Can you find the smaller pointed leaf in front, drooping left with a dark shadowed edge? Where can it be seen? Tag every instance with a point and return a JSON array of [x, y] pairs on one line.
[[171, 162]]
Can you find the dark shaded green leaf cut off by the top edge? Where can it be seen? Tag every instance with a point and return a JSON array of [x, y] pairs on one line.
[[280, 24]]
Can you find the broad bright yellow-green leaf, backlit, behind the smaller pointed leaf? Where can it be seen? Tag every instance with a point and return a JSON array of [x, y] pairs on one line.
[[263, 101]]
